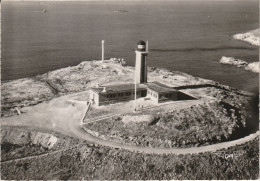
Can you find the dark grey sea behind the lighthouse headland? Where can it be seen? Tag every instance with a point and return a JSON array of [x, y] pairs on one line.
[[184, 36]]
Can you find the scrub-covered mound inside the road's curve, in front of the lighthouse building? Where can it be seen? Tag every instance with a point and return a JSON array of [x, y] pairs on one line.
[[196, 125]]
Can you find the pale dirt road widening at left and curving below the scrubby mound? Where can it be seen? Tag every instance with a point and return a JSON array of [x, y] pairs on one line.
[[57, 115]]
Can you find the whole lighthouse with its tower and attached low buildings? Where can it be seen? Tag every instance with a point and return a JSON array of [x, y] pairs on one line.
[[155, 91]]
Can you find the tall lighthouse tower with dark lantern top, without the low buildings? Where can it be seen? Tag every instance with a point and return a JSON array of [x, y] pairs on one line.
[[140, 63]]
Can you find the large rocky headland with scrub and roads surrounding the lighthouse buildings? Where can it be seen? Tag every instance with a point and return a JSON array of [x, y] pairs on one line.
[[214, 136]]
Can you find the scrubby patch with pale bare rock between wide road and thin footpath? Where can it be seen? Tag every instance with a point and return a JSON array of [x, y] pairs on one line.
[[20, 142]]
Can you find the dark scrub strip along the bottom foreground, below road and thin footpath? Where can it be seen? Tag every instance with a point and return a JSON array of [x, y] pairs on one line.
[[95, 162]]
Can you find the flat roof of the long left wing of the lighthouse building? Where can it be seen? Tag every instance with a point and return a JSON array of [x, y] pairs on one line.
[[118, 88]]
